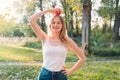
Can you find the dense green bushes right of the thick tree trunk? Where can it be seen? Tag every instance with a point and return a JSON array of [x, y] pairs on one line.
[[102, 43]]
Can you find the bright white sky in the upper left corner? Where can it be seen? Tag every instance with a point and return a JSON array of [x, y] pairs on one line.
[[6, 7]]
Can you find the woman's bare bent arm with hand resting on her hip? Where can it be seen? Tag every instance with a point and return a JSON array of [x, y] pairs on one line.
[[80, 54]]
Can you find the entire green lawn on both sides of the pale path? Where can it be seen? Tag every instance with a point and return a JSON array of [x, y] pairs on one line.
[[93, 69]]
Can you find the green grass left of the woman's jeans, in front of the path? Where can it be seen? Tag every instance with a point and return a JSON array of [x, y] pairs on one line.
[[19, 72]]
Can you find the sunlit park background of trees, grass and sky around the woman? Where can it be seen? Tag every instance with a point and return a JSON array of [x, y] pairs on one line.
[[21, 51]]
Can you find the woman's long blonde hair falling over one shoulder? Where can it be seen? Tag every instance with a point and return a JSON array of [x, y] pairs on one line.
[[63, 33]]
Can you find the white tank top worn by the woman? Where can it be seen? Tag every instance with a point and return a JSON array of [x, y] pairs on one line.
[[53, 56]]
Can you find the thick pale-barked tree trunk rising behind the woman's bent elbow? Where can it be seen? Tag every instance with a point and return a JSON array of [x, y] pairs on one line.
[[86, 19]]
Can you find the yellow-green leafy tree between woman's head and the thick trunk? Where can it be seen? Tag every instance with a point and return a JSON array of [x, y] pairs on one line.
[[72, 10]]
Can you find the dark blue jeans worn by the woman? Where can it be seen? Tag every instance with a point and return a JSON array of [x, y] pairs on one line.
[[49, 75]]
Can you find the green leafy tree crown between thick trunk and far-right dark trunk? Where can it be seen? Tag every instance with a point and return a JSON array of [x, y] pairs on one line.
[[106, 11]]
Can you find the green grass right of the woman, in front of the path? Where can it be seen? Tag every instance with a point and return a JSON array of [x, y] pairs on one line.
[[97, 71]]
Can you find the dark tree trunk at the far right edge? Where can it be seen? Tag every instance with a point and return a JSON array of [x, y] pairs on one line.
[[116, 23]]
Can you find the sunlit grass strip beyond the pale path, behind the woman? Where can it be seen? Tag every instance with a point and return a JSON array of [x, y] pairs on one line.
[[23, 54]]
